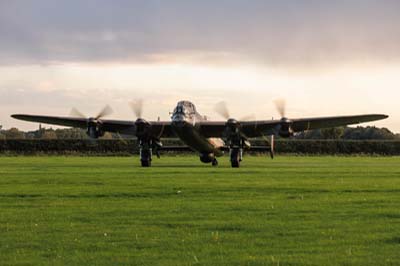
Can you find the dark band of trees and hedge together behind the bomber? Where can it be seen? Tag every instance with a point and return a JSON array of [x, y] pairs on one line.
[[346, 140]]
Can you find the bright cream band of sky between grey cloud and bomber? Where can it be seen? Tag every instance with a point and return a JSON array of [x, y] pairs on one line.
[[249, 90]]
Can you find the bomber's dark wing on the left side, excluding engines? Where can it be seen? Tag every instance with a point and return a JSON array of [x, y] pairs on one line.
[[159, 128]]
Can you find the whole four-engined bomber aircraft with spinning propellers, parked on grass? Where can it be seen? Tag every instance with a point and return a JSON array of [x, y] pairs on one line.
[[208, 138]]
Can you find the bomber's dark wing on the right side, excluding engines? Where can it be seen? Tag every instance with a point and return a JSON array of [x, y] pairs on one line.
[[259, 128]]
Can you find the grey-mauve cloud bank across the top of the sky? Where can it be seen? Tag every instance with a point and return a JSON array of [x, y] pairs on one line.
[[272, 32]]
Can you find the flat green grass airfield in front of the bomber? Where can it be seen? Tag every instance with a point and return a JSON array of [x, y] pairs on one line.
[[289, 211]]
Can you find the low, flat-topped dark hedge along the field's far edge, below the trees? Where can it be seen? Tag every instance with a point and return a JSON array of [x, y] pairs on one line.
[[126, 147]]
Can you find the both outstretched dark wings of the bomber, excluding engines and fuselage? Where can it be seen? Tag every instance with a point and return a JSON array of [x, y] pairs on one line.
[[208, 128]]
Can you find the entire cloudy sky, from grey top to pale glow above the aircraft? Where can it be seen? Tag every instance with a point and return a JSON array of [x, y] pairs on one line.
[[324, 57]]
